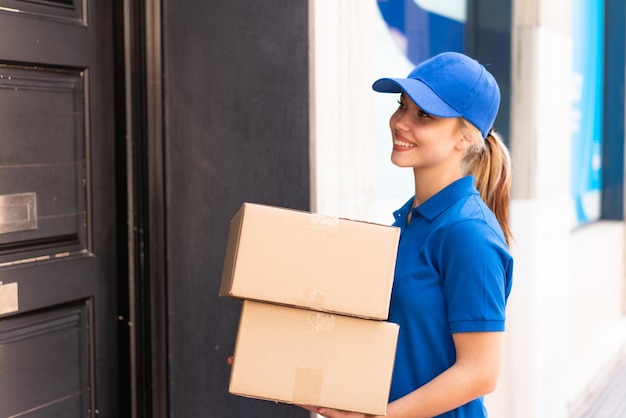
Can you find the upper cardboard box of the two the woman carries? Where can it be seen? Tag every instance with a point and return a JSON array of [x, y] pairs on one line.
[[317, 262]]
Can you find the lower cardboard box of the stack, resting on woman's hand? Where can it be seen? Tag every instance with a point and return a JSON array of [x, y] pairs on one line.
[[299, 356]]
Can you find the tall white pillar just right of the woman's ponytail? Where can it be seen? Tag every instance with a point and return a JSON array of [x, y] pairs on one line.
[[541, 219]]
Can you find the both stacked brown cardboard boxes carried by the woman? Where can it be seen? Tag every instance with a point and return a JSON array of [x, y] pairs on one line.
[[316, 293]]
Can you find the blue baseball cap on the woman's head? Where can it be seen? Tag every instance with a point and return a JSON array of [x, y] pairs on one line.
[[450, 85]]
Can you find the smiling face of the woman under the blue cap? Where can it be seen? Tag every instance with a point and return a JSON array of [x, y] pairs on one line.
[[423, 141]]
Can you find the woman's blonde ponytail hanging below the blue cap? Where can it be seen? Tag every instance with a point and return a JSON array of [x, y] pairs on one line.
[[488, 160]]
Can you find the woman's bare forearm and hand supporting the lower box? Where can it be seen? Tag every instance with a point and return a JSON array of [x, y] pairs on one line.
[[474, 374]]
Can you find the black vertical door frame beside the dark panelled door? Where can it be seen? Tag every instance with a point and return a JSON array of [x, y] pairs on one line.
[[143, 295]]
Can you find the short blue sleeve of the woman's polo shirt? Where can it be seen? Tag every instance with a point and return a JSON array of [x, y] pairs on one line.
[[476, 272]]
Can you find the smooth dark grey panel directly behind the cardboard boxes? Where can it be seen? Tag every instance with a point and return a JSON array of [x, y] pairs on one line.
[[236, 128]]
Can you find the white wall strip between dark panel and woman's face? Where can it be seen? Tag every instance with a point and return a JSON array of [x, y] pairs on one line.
[[350, 141]]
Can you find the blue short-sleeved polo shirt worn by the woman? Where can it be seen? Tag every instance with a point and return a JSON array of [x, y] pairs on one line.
[[453, 274]]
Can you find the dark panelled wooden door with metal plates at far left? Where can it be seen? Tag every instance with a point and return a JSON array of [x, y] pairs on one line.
[[58, 338]]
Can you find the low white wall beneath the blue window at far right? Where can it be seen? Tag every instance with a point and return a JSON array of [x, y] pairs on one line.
[[597, 327]]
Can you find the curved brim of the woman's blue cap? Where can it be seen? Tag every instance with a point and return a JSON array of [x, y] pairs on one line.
[[419, 92]]
